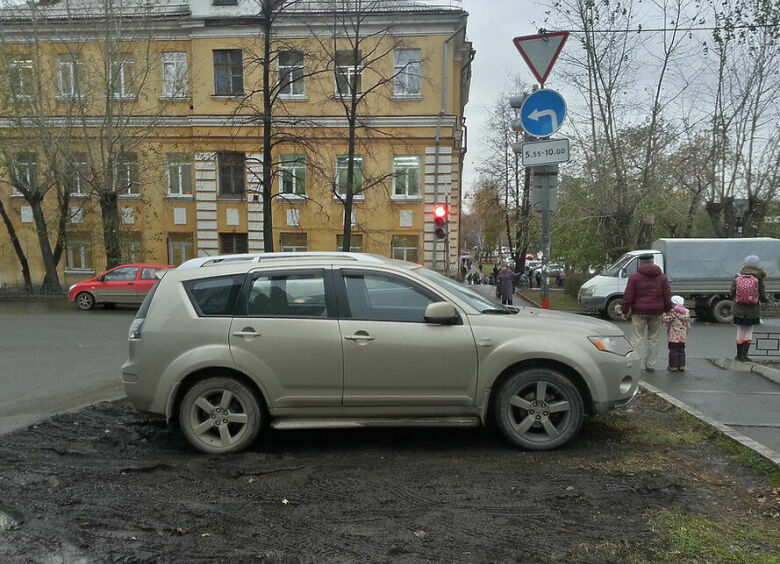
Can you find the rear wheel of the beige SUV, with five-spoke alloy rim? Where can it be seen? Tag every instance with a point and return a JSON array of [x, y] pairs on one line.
[[220, 415]]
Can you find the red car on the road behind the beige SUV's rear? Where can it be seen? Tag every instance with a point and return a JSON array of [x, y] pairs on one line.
[[125, 284]]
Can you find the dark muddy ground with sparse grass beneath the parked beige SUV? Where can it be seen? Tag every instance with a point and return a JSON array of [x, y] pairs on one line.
[[107, 485]]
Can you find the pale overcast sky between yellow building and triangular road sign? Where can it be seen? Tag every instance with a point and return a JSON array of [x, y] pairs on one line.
[[492, 25]]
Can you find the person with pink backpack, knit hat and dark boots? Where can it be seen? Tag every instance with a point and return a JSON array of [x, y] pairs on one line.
[[747, 293]]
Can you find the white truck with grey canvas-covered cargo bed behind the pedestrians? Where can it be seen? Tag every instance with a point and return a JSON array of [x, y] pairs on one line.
[[699, 270]]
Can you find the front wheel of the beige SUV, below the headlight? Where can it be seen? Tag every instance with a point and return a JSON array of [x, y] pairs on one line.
[[539, 409]]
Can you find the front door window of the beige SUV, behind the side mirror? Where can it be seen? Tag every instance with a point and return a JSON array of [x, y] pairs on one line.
[[376, 297]]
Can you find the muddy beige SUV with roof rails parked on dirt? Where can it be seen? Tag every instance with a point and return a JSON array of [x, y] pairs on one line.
[[227, 345]]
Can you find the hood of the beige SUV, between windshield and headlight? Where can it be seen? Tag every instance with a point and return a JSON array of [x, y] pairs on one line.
[[536, 319]]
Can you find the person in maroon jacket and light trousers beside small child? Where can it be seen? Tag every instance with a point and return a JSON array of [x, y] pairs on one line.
[[645, 300]]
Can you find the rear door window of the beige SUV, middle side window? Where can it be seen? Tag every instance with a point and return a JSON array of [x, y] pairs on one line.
[[293, 295]]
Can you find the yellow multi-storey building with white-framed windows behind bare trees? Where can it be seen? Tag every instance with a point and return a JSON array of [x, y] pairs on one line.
[[163, 105]]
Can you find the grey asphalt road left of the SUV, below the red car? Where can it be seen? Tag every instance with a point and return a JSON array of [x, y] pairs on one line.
[[54, 358]]
